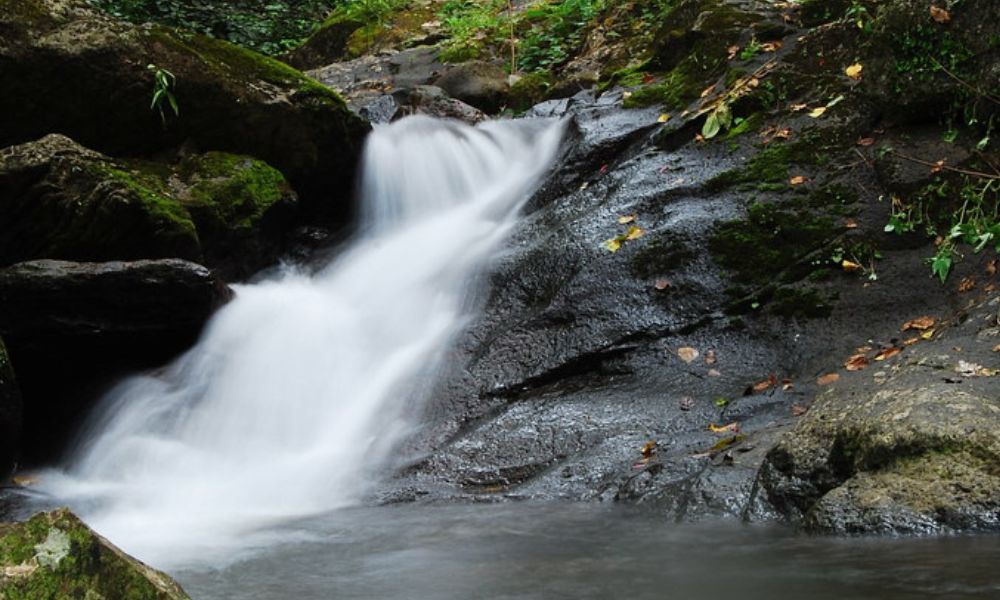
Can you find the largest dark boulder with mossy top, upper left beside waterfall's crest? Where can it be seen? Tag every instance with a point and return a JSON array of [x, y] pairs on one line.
[[65, 68]]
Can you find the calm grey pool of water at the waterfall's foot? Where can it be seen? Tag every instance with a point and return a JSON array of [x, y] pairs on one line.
[[555, 551]]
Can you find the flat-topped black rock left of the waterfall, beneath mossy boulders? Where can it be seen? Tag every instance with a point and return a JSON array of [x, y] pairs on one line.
[[72, 327]]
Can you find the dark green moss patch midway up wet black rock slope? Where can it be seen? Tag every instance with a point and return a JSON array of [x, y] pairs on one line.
[[770, 242]]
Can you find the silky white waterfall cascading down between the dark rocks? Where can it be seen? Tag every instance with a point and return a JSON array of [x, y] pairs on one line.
[[302, 386]]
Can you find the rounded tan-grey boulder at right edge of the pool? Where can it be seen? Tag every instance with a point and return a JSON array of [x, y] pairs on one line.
[[894, 460]]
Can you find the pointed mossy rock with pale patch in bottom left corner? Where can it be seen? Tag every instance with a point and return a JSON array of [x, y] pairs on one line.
[[54, 556]]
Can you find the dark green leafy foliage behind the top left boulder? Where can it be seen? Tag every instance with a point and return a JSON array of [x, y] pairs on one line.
[[268, 26]]
